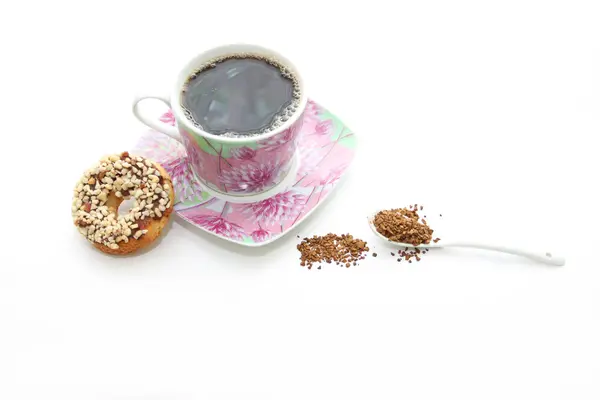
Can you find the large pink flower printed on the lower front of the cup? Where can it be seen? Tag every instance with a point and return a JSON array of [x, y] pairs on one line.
[[250, 177]]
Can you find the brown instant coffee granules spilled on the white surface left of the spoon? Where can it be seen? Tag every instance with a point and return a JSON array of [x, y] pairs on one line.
[[341, 249]]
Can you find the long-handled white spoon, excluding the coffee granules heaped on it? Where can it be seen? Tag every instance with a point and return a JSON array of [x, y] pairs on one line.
[[546, 258]]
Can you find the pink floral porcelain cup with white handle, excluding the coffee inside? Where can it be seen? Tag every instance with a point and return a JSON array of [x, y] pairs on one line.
[[236, 166]]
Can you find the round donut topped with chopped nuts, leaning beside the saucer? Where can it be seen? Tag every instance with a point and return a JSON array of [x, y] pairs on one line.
[[102, 189]]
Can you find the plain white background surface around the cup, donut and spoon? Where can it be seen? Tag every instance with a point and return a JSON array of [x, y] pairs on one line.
[[484, 111]]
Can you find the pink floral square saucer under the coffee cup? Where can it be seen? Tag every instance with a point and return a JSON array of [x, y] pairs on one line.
[[325, 149]]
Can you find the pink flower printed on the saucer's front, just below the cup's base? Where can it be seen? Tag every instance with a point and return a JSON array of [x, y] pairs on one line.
[[281, 207]]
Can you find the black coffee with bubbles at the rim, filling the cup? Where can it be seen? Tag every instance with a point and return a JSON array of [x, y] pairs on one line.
[[240, 95]]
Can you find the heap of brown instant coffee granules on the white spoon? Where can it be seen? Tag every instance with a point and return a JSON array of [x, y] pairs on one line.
[[403, 225]]
